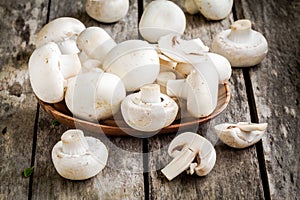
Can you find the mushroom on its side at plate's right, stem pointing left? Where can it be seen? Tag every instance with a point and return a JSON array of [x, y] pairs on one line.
[[200, 88]]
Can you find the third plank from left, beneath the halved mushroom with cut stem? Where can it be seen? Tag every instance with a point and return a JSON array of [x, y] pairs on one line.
[[236, 173]]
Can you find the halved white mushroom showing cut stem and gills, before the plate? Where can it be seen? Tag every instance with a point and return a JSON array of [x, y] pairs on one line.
[[187, 148]]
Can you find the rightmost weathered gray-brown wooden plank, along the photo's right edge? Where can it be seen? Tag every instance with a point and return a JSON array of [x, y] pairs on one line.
[[276, 90]]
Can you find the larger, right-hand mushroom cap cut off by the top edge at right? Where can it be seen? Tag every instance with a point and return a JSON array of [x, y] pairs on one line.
[[214, 9]]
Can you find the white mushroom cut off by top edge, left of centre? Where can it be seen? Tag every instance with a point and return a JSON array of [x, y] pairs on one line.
[[107, 11]]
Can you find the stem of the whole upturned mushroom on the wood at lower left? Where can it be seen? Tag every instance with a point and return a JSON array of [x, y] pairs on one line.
[[74, 143]]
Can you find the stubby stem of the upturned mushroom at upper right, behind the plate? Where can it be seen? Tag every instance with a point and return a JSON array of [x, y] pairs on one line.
[[240, 31]]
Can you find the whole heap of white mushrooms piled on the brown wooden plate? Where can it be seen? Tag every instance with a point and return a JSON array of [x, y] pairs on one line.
[[93, 74]]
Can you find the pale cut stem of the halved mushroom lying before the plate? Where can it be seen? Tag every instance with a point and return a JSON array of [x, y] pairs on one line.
[[179, 164]]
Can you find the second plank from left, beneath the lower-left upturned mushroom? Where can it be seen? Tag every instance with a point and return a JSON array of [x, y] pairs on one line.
[[123, 176]]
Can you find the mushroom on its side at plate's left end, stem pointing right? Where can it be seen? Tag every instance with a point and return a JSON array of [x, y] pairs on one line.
[[48, 71]]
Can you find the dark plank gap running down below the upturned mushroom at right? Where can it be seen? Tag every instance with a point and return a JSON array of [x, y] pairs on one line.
[[259, 145]]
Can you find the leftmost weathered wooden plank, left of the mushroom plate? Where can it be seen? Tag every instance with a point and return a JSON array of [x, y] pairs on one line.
[[19, 21]]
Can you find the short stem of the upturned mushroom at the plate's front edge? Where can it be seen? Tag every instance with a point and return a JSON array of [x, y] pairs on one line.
[[150, 93]]
